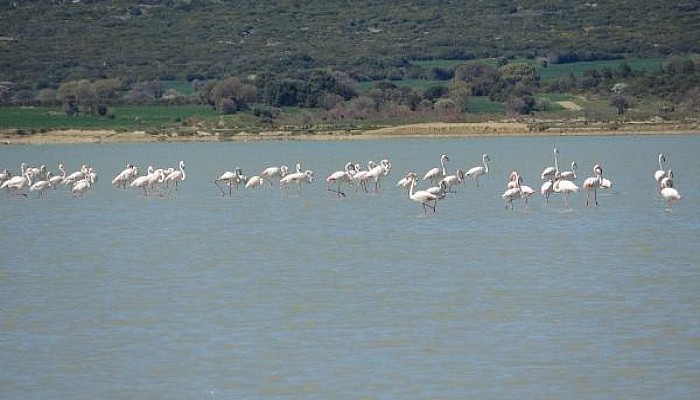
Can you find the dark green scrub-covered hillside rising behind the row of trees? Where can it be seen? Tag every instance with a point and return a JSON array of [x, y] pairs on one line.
[[44, 43]]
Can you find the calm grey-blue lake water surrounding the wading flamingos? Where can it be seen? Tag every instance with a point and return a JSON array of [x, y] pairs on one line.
[[273, 295]]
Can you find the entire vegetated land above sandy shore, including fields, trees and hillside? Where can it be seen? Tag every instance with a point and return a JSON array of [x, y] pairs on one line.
[[260, 65]]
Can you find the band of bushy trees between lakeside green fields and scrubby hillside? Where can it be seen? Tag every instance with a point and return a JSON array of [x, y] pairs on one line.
[[450, 90]]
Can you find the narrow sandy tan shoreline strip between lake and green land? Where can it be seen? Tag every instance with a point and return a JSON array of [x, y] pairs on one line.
[[421, 130]]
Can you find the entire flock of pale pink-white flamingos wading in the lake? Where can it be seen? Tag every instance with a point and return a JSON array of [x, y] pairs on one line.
[[165, 181]]
